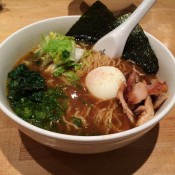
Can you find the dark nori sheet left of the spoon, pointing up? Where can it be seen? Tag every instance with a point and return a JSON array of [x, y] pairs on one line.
[[93, 24]]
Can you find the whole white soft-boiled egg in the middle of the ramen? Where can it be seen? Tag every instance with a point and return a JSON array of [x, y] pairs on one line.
[[104, 82]]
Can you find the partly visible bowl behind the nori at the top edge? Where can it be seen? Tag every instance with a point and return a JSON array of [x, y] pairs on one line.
[[113, 5]]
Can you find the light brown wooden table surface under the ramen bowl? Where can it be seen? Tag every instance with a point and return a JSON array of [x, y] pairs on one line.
[[153, 154]]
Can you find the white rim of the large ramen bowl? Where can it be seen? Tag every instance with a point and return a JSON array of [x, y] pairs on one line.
[[85, 139]]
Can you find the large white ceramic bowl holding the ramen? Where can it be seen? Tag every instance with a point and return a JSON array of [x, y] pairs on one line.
[[19, 43]]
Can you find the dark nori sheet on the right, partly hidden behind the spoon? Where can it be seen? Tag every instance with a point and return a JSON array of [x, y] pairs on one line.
[[138, 49]]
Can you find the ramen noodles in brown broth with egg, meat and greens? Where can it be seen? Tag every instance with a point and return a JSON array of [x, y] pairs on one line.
[[71, 89]]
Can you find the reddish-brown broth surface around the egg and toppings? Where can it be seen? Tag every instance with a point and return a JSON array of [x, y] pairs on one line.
[[84, 106]]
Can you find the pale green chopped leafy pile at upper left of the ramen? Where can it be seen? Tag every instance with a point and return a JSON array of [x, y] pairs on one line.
[[59, 50]]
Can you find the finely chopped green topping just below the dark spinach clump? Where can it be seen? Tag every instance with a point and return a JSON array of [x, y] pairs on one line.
[[49, 108]]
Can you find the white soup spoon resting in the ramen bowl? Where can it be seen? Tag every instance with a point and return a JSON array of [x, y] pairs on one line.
[[114, 42]]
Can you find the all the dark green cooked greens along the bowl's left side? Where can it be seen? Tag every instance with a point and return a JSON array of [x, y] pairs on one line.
[[32, 101]]
